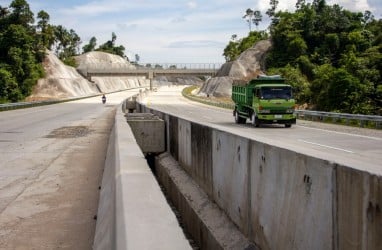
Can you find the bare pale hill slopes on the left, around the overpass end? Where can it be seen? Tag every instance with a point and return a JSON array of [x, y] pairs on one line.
[[62, 81]]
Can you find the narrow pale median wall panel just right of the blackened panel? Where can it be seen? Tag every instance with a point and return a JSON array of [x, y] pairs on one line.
[[230, 176]]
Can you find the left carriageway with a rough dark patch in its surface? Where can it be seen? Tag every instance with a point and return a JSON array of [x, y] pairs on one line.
[[51, 164]]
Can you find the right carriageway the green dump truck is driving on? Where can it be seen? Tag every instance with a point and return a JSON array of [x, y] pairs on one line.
[[355, 147]]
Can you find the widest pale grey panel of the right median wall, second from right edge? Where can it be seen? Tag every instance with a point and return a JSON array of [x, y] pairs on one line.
[[291, 199]]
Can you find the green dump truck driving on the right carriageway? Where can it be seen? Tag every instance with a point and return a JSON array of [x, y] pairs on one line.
[[264, 100]]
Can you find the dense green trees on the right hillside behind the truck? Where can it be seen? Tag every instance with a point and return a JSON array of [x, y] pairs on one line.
[[331, 56]]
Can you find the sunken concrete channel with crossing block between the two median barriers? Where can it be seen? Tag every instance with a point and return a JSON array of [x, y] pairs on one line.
[[205, 225]]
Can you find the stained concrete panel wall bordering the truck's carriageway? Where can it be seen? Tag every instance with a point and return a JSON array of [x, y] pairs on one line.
[[279, 198]]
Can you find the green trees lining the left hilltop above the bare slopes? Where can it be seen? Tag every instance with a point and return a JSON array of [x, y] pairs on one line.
[[23, 45]]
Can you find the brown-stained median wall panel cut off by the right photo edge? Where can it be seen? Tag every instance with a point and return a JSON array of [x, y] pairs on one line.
[[359, 209]]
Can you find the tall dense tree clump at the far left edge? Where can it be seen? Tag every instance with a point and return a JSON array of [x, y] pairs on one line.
[[20, 52]]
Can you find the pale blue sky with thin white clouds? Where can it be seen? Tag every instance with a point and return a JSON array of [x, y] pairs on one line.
[[168, 31]]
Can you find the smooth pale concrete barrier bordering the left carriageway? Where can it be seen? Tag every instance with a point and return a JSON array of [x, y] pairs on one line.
[[133, 212]]
